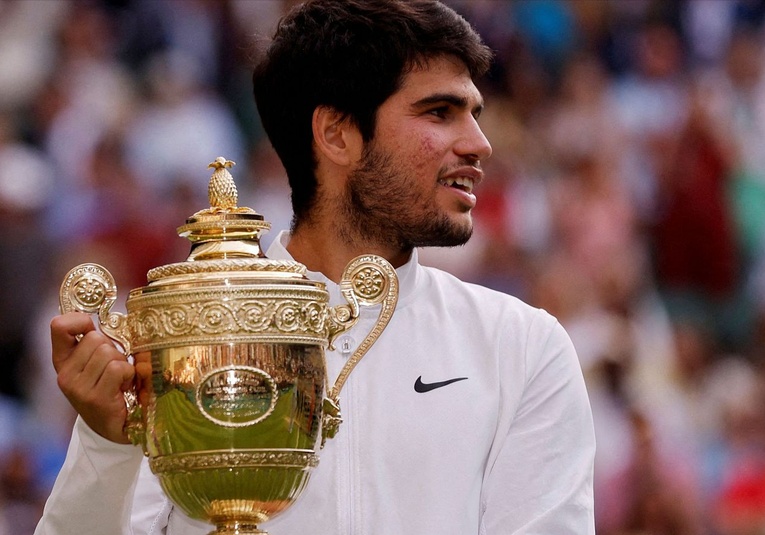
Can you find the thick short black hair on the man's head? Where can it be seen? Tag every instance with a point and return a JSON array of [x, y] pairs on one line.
[[351, 56]]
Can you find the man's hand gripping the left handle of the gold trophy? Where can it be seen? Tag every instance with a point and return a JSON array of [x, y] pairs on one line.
[[92, 374]]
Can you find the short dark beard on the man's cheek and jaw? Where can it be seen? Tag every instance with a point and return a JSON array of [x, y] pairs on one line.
[[382, 204]]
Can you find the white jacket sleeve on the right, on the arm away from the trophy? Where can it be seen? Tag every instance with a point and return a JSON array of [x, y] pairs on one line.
[[539, 476]]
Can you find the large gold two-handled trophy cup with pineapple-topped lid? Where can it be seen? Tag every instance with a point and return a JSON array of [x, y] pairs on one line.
[[232, 394]]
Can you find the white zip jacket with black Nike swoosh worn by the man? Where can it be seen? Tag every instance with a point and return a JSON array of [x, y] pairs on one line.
[[509, 450]]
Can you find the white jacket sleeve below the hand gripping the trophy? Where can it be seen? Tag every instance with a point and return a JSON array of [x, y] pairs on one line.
[[94, 490]]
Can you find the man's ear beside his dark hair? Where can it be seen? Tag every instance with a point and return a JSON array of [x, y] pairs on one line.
[[335, 137]]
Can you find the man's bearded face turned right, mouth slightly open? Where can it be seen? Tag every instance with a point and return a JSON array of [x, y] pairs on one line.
[[413, 186]]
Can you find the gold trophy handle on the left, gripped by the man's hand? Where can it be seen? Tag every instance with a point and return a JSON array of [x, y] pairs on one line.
[[91, 289]]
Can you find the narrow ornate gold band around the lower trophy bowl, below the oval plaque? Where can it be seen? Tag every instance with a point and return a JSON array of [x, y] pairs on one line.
[[206, 460]]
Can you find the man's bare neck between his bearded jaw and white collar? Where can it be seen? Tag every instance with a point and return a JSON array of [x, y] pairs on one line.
[[322, 250]]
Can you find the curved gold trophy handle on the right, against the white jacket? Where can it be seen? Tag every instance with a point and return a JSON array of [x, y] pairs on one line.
[[368, 280]]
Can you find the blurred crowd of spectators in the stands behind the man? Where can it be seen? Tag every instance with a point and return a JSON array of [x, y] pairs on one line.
[[626, 195]]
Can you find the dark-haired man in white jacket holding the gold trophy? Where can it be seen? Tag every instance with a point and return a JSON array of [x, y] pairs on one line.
[[372, 108]]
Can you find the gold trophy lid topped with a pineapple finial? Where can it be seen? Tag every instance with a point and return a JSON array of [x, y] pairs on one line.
[[226, 237]]
